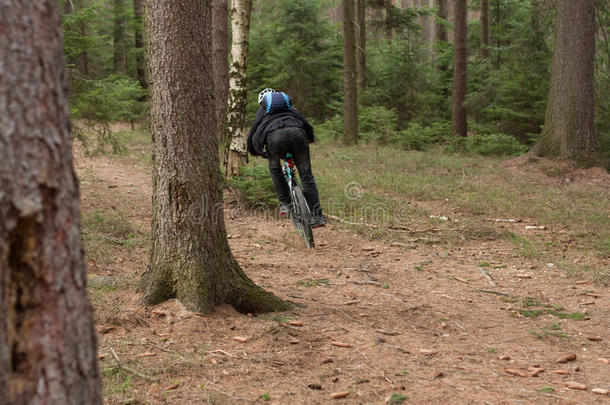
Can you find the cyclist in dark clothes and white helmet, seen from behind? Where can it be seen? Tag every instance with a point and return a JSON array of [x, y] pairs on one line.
[[279, 129]]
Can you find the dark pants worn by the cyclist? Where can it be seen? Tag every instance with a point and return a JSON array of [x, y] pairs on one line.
[[294, 141]]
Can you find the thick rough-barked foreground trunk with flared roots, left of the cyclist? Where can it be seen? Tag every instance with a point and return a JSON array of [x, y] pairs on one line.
[[190, 258]]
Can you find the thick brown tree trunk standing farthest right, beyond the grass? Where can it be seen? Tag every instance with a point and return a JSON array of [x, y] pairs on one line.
[[569, 122]]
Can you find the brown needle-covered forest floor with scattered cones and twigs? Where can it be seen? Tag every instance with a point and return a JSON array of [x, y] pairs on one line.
[[400, 316]]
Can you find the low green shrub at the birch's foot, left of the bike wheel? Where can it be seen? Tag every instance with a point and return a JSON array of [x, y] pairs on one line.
[[254, 186]]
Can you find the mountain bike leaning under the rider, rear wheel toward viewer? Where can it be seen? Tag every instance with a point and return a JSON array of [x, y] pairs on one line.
[[299, 210]]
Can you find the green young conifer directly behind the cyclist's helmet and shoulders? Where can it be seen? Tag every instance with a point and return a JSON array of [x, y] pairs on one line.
[[294, 49]]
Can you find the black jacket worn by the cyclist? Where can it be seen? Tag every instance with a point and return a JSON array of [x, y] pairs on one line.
[[263, 124]]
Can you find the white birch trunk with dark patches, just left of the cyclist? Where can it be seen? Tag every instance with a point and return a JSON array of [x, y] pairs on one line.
[[237, 133]]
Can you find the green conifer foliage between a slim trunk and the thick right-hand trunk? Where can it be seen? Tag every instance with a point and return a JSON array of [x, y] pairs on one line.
[[507, 93]]
